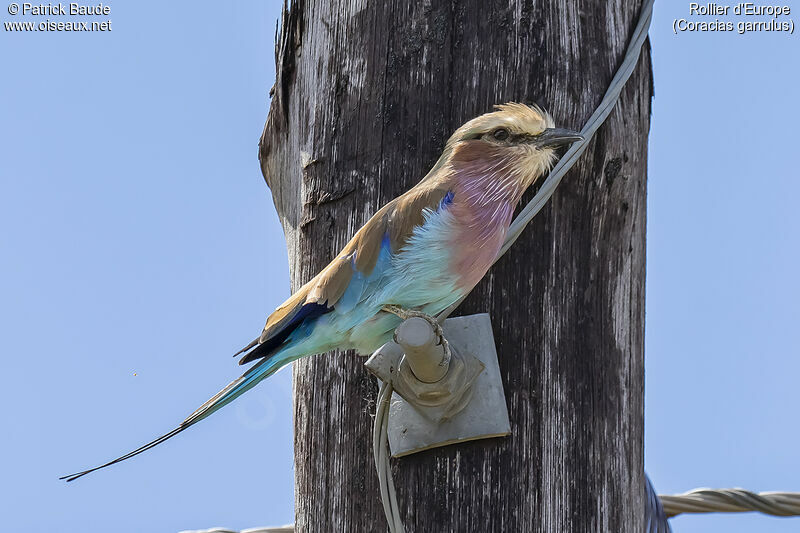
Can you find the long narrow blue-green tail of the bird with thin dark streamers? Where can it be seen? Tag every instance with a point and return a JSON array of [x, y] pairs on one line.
[[236, 388]]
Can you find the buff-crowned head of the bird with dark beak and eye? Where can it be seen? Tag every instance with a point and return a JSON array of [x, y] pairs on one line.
[[515, 142]]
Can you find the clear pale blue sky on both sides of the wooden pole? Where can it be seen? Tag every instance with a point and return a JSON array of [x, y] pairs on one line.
[[140, 248]]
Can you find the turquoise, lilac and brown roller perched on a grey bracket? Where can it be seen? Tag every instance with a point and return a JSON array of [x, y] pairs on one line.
[[421, 252]]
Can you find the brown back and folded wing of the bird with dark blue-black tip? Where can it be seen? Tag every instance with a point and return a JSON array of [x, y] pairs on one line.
[[395, 221]]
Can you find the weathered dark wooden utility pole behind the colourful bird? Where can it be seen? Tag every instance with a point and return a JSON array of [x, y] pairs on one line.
[[366, 94]]
